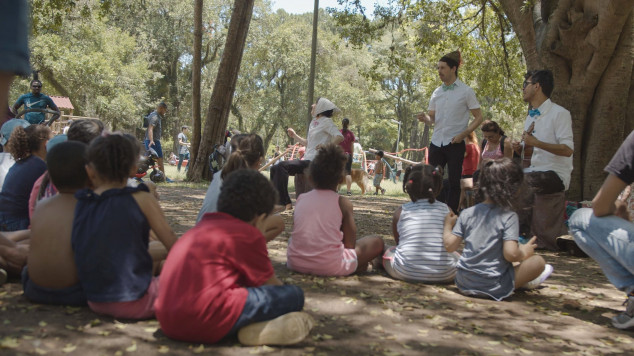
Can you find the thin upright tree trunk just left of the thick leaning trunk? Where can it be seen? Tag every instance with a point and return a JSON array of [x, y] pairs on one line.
[[196, 80]]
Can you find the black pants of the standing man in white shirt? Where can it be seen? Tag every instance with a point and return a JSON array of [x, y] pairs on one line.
[[452, 156]]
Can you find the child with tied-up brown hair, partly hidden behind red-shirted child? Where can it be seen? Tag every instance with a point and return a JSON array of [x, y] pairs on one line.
[[247, 153]]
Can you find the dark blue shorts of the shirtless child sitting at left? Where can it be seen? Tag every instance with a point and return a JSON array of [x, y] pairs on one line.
[[73, 295]]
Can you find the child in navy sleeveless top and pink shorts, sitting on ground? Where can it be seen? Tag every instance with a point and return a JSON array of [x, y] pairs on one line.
[[110, 232]]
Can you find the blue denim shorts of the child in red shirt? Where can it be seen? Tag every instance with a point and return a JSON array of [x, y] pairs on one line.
[[267, 303]]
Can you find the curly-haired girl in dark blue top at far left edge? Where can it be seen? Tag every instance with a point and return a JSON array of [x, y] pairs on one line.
[[28, 148]]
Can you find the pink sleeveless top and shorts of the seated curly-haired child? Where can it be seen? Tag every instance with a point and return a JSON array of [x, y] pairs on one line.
[[316, 243]]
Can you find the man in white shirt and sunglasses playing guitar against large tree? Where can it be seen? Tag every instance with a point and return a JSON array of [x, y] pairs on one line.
[[551, 138]]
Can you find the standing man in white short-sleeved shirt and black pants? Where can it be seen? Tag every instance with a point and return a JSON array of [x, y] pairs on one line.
[[448, 111]]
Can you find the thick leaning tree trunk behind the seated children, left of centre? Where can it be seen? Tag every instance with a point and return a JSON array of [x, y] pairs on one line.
[[220, 103]]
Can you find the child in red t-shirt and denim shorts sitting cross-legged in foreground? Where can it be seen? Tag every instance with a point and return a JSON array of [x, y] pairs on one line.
[[218, 280]]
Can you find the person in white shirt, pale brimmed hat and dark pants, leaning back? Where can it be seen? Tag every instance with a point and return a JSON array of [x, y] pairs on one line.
[[321, 131]]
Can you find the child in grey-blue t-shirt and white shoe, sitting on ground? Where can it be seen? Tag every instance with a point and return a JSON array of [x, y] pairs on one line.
[[490, 231]]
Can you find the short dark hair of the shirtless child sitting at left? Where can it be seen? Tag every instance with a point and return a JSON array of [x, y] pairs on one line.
[[66, 162]]
